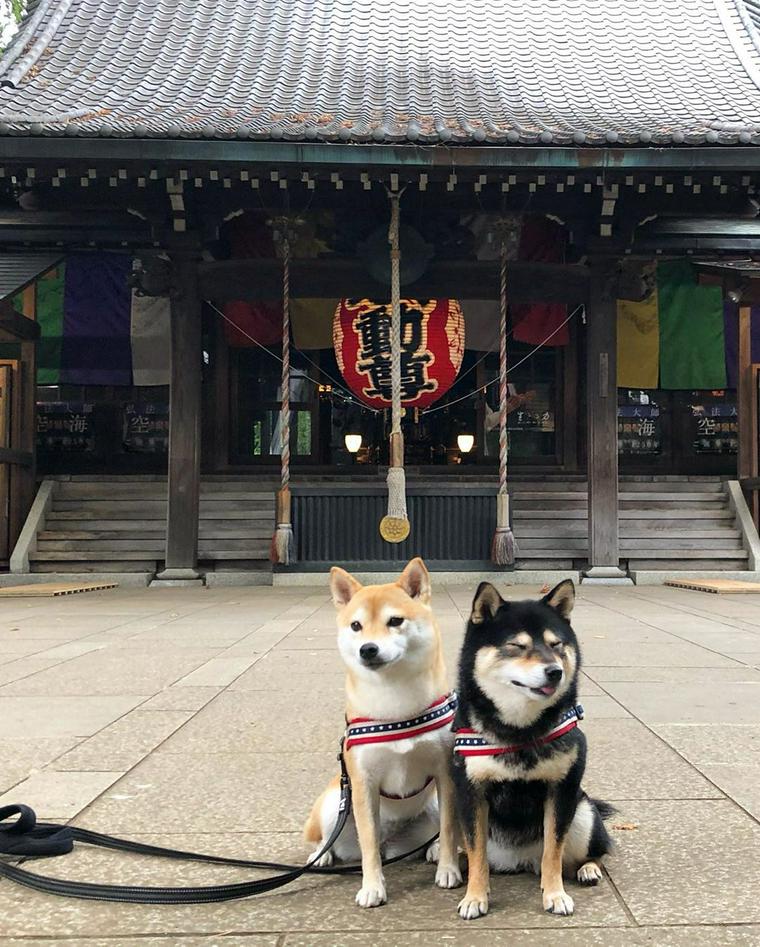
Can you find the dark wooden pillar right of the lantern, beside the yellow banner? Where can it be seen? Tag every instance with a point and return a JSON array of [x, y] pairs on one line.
[[601, 399]]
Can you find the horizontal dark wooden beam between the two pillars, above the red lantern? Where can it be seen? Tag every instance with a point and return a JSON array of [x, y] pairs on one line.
[[226, 280]]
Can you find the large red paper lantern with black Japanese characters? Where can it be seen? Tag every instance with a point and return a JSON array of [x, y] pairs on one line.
[[432, 346]]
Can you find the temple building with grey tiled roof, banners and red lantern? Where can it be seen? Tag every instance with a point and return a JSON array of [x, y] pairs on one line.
[[192, 191]]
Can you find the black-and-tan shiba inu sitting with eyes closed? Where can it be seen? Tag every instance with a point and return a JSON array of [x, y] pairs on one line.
[[519, 756]]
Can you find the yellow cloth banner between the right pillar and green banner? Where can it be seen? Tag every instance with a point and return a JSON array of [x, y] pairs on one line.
[[638, 343]]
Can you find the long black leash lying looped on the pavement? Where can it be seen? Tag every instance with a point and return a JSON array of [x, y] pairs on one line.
[[26, 838]]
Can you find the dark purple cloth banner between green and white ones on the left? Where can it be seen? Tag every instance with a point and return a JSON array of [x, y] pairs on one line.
[[96, 347]]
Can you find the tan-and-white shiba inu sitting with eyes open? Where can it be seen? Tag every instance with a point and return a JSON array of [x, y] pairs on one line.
[[399, 738]]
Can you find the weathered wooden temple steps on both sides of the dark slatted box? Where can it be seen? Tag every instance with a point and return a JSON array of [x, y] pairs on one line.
[[112, 524]]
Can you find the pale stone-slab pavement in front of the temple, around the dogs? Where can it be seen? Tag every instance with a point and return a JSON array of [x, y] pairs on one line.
[[208, 719]]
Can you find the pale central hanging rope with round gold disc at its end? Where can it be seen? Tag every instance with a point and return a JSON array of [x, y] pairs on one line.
[[394, 527]]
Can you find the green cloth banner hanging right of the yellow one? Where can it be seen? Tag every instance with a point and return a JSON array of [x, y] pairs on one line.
[[692, 347]]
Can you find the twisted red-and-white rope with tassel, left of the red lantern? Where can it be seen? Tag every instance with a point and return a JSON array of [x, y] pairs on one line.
[[283, 541]]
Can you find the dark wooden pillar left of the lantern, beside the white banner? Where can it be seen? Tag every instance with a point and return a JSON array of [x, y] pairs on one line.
[[184, 425]]
